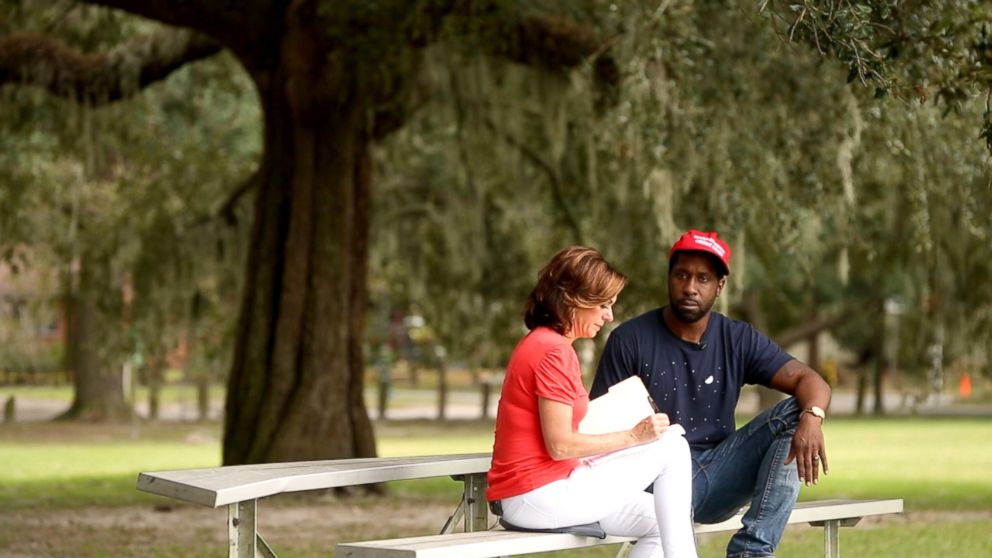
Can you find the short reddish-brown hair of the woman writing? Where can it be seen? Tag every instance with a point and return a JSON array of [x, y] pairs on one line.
[[576, 277]]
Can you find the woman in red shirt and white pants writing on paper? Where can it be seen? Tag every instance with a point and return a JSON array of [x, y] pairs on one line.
[[545, 474]]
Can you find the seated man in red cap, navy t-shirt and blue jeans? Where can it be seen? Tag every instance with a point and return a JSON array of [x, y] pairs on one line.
[[694, 362]]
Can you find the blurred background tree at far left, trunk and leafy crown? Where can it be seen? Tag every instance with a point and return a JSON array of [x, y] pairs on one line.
[[90, 193]]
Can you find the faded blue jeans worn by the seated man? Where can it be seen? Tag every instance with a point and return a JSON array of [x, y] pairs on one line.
[[748, 467]]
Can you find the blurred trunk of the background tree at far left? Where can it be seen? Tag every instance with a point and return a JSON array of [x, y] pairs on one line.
[[98, 394]]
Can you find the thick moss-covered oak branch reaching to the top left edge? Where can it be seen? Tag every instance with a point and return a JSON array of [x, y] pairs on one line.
[[99, 78]]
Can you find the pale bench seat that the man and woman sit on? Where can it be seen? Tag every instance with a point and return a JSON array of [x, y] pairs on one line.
[[498, 542]]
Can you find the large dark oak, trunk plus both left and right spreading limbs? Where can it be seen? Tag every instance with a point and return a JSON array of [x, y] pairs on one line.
[[332, 78]]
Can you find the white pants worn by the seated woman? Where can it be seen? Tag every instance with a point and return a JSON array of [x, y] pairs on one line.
[[610, 489]]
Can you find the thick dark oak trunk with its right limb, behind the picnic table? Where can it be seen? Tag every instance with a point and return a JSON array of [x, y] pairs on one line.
[[296, 384]]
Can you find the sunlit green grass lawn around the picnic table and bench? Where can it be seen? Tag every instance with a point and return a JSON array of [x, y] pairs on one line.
[[939, 466]]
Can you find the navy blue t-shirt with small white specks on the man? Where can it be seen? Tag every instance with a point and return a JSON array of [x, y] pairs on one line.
[[696, 384]]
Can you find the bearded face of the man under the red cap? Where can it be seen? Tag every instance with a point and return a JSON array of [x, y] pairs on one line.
[[693, 287]]
